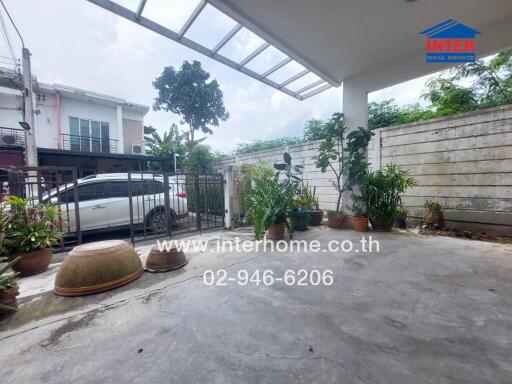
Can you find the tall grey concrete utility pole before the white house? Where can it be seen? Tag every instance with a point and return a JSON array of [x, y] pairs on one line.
[[28, 108]]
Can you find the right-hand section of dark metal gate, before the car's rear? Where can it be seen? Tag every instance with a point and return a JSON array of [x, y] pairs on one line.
[[166, 204]]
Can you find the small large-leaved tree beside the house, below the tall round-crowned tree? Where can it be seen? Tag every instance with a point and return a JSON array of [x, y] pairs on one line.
[[164, 147]]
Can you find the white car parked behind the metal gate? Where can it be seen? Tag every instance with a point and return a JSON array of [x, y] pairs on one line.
[[103, 201]]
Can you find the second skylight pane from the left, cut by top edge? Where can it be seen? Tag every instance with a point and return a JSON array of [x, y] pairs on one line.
[[171, 14]]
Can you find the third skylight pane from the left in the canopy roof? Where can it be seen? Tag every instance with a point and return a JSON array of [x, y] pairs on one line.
[[210, 27]]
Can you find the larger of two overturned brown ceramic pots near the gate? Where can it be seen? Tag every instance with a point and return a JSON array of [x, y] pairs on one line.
[[97, 267]]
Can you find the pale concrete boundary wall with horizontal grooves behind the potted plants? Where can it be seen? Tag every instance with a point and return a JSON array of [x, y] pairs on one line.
[[462, 161]]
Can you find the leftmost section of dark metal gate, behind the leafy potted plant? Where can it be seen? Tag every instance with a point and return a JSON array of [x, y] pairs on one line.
[[48, 185]]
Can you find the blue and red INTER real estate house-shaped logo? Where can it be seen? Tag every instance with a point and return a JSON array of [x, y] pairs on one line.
[[450, 42]]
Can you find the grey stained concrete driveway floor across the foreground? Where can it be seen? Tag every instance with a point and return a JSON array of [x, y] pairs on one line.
[[422, 310]]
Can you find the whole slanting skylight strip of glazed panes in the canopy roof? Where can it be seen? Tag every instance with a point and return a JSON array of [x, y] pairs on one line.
[[200, 26]]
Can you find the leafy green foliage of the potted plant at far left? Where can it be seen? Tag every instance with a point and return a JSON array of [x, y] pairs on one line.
[[30, 227]]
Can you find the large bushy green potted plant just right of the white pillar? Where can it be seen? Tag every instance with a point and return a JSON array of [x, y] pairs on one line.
[[381, 195]]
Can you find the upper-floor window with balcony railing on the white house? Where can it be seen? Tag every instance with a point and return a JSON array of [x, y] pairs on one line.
[[88, 135]]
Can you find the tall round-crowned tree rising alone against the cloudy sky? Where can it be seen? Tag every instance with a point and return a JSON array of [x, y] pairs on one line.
[[190, 93]]
